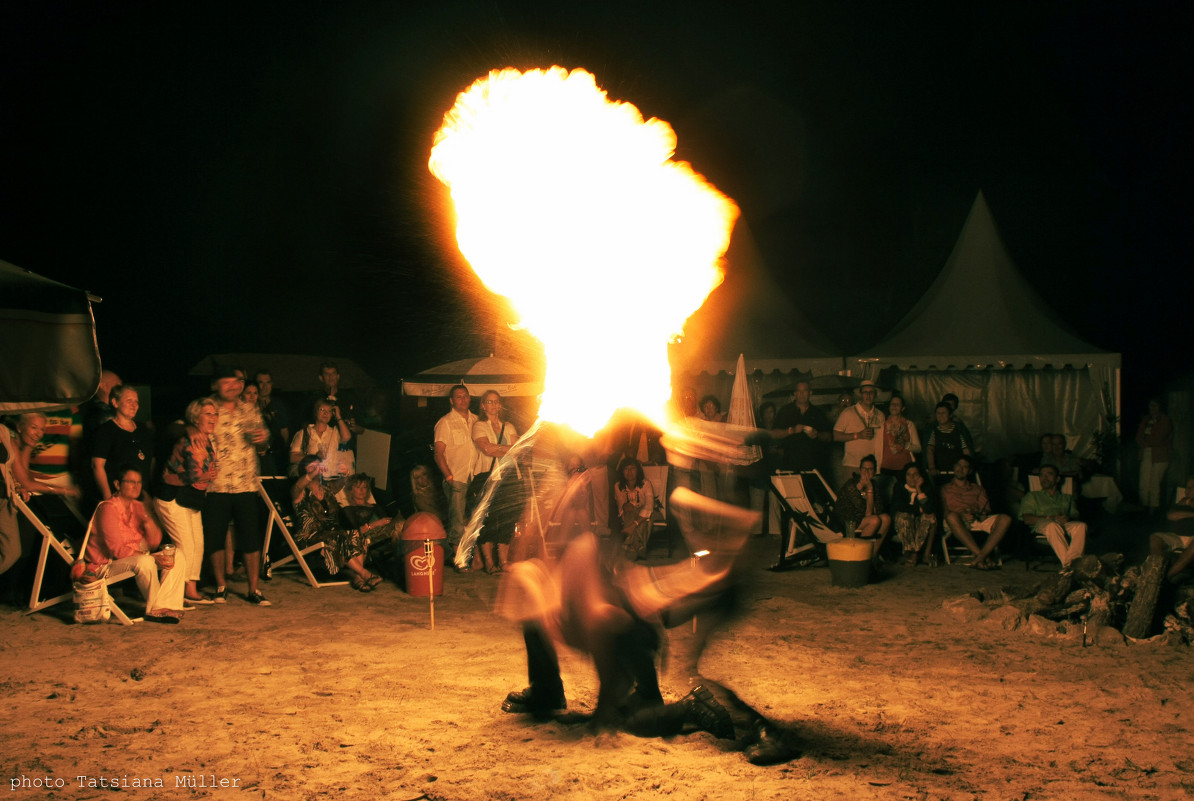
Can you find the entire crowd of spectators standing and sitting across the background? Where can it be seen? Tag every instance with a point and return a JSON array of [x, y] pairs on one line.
[[895, 482]]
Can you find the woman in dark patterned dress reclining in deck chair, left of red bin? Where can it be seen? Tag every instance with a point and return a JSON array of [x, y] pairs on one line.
[[319, 521]]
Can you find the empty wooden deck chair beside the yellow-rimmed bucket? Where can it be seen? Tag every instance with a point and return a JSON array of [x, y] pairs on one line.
[[804, 501]]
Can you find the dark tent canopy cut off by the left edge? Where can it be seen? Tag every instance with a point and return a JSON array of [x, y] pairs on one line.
[[50, 334]]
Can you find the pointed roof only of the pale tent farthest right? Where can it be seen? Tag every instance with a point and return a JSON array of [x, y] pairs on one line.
[[982, 312]]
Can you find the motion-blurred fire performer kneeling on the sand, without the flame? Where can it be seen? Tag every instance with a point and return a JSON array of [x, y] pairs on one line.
[[594, 600]]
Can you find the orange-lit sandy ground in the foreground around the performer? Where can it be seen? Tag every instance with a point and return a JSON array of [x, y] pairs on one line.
[[891, 693]]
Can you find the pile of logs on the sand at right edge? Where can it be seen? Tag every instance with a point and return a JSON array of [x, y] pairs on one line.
[[1103, 600]]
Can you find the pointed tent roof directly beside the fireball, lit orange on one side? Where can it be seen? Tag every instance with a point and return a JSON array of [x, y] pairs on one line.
[[750, 315]]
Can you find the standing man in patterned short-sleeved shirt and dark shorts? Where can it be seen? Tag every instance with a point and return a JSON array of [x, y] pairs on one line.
[[232, 496]]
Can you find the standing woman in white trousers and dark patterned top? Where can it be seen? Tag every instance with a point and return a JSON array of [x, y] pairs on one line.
[[184, 482]]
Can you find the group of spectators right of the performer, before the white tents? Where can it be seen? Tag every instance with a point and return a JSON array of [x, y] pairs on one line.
[[928, 483]]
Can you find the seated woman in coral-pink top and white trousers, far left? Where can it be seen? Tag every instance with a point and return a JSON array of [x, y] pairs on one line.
[[124, 538]]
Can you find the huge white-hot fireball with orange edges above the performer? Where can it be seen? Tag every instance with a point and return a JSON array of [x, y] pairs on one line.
[[570, 205]]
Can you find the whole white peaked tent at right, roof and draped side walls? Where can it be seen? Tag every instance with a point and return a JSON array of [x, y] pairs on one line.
[[983, 332]]
